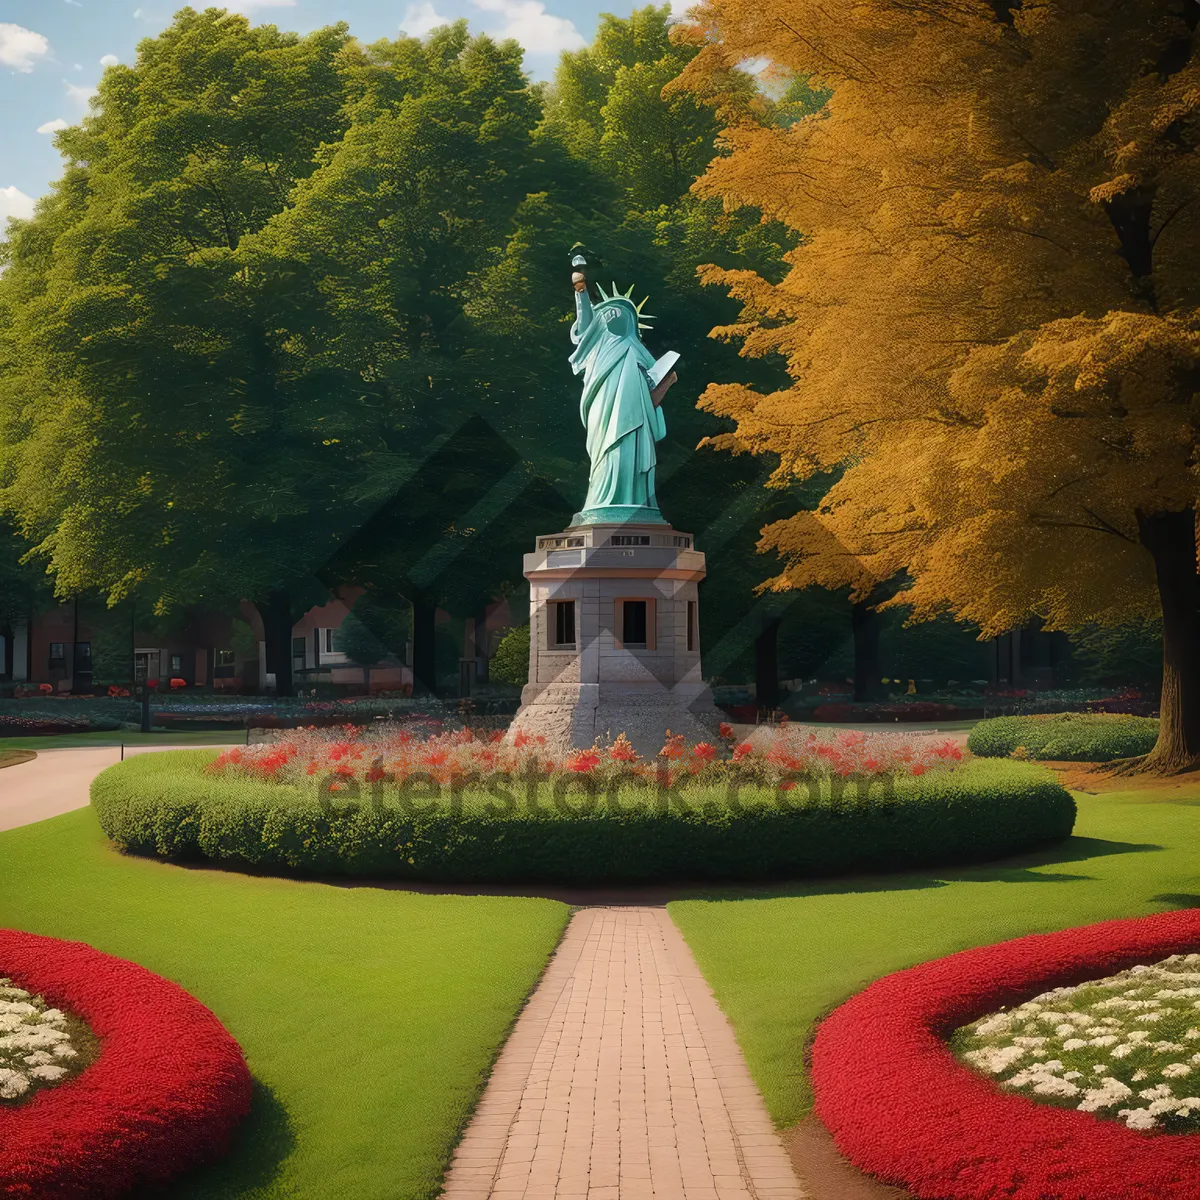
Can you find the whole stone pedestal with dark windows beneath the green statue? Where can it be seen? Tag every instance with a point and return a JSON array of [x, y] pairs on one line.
[[623, 657]]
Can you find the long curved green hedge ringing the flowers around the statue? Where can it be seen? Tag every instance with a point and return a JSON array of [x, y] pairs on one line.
[[167, 805]]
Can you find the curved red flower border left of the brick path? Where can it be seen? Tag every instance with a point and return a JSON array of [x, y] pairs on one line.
[[165, 1095]]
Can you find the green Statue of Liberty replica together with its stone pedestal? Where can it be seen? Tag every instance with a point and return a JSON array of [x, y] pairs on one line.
[[614, 604]]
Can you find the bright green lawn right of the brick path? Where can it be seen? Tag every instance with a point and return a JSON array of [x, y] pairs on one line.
[[779, 961]]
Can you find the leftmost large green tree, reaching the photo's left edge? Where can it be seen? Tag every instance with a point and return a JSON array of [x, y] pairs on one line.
[[155, 441]]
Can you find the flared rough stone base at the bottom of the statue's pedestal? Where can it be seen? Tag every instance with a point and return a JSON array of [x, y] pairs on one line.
[[573, 717]]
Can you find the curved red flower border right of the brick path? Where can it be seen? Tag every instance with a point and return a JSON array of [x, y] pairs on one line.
[[902, 1107]]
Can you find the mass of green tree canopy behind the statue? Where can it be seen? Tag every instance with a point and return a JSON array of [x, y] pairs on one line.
[[296, 317]]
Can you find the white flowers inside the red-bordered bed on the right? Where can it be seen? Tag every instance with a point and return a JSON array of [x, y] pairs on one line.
[[1126, 1047]]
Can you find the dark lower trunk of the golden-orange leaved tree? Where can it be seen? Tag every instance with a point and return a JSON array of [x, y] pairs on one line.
[[1172, 541]]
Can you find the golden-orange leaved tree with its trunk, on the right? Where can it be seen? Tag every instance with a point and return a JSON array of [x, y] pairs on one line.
[[993, 325]]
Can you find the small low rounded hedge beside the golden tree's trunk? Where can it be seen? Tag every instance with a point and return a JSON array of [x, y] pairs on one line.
[[1065, 737]]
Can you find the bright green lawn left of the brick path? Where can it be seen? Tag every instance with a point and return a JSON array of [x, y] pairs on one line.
[[370, 1018]]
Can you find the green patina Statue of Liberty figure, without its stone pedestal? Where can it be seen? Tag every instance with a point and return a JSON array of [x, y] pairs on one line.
[[623, 391]]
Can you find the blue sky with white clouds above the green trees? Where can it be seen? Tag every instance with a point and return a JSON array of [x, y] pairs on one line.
[[53, 53]]
